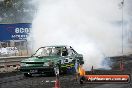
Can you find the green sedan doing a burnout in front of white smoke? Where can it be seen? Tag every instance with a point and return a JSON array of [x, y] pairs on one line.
[[51, 60]]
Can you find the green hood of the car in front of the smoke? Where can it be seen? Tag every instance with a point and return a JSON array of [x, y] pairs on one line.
[[42, 59]]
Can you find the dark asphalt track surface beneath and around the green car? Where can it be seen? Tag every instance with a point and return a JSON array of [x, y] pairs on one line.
[[17, 80]]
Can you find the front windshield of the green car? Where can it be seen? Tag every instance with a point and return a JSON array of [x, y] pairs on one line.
[[48, 51]]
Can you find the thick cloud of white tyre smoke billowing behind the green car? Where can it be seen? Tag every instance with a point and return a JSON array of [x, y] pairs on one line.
[[91, 27]]
